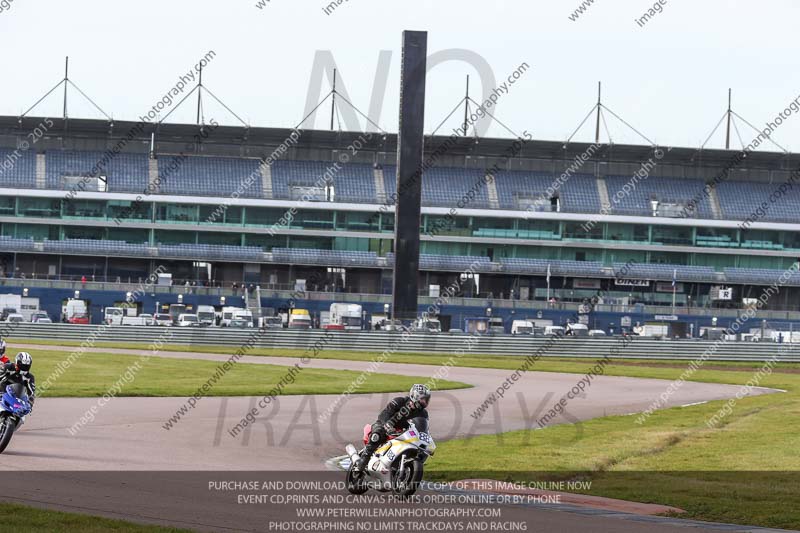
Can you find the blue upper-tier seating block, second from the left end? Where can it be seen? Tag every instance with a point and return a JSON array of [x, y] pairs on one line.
[[125, 172]]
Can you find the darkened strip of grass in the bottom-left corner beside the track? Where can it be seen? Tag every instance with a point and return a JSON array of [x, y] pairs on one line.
[[22, 519]]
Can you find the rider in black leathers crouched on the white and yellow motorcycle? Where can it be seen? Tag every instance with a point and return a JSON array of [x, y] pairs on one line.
[[395, 417]]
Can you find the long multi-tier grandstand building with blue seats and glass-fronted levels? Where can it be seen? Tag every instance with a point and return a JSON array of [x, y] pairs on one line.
[[266, 207]]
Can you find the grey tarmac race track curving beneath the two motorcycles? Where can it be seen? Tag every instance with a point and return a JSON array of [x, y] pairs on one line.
[[128, 435]]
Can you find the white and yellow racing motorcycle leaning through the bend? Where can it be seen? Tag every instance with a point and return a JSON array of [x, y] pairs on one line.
[[396, 466]]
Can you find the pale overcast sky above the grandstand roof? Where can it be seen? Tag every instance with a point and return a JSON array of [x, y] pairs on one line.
[[669, 78]]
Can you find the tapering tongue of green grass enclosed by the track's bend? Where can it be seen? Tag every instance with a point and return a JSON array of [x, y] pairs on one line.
[[95, 373]]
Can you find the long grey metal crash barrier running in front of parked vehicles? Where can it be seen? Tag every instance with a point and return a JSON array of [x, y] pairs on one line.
[[425, 343]]
